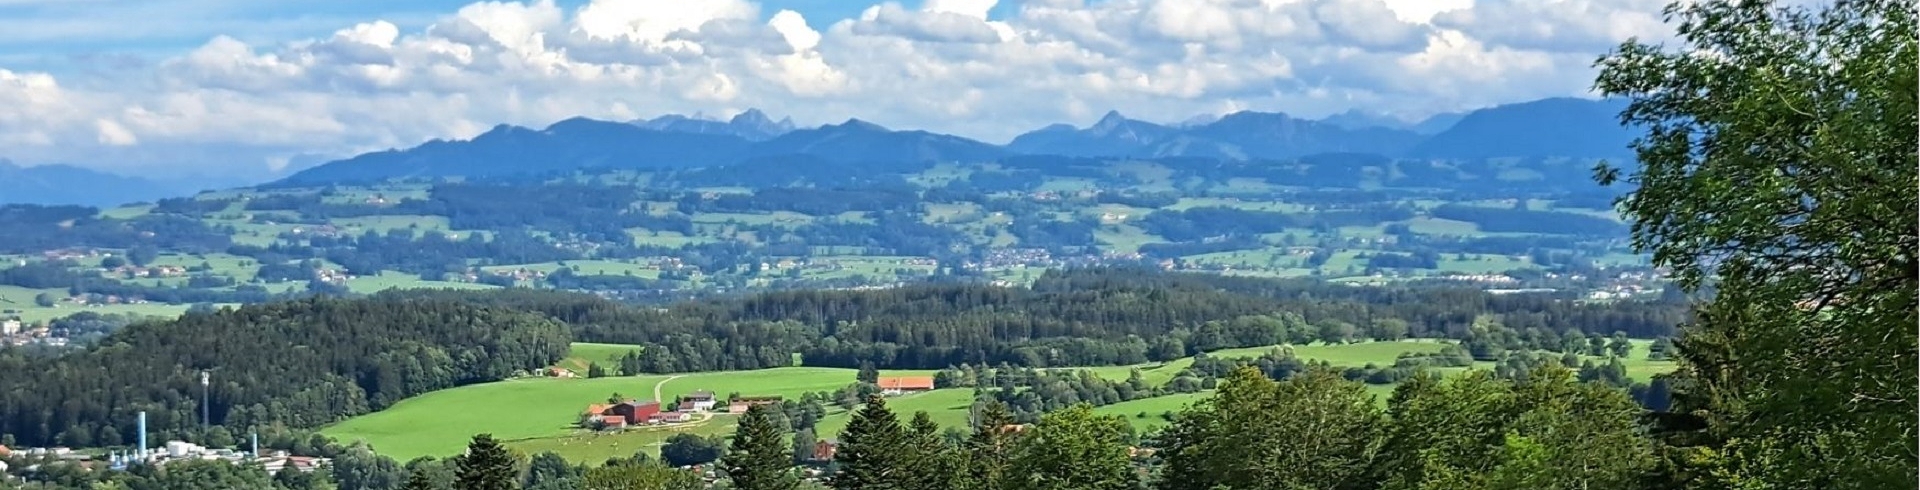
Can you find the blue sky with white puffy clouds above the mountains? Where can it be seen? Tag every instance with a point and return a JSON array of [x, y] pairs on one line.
[[249, 87]]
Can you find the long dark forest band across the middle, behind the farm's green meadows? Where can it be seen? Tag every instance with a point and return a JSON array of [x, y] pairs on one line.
[[1067, 318]]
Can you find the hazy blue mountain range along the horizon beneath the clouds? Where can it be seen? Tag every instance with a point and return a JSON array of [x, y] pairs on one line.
[[1552, 128]]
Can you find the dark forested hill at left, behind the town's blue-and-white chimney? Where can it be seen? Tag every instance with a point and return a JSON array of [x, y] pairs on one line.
[[297, 364]]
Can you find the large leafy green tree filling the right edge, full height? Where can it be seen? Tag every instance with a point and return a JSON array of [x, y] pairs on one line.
[[1779, 170]]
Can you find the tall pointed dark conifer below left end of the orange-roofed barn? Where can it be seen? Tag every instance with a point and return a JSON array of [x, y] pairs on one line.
[[873, 454]]
